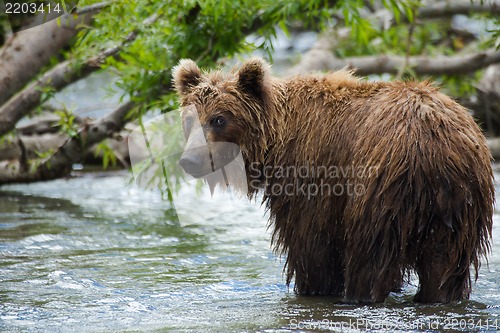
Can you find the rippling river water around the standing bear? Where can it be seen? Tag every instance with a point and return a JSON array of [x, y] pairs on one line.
[[96, 254]]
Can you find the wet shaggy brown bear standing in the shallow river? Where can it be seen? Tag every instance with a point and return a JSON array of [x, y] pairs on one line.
[[365, 181]]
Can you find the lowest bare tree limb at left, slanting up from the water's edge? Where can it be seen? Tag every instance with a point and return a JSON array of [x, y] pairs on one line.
[[72, 151]]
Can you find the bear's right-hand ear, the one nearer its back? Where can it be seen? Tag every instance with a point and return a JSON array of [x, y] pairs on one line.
[[252, 77]]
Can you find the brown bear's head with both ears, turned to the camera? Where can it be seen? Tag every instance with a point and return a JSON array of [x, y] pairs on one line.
[[221, 114]]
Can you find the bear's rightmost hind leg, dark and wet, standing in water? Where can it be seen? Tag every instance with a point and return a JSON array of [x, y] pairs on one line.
[[443, 267]]
